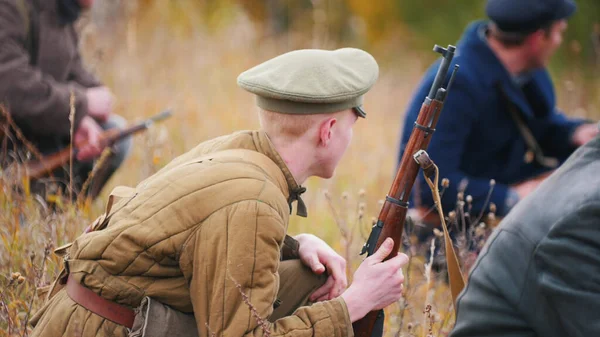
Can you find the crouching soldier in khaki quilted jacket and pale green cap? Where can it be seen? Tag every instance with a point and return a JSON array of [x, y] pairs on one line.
[[213, 222]]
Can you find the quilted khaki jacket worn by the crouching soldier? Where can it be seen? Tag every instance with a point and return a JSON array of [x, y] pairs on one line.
[[185, 237]]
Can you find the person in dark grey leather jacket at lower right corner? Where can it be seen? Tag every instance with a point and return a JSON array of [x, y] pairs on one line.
[[538, 273]]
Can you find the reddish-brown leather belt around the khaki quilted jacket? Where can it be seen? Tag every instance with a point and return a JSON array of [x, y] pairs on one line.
[[95, 303]]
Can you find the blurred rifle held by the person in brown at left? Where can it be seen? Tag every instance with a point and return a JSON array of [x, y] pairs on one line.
[[36, 169]]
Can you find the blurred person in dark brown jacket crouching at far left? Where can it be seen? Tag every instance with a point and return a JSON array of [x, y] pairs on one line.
[[40, 66]]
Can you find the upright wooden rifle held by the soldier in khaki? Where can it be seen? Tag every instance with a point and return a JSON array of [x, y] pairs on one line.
[[392, 216]]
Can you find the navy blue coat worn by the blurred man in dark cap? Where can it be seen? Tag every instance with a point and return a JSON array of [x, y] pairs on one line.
[[476, 138]]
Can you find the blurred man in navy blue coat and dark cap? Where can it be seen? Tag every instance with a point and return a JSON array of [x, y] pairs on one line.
[[500, 120]]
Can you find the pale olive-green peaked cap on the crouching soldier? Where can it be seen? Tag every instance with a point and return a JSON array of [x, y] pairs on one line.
[[312, 81]]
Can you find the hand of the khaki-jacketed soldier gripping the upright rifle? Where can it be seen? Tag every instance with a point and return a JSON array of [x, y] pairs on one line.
[[376, 284]]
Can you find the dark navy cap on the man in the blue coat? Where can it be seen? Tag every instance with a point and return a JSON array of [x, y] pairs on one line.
[[525, 16]]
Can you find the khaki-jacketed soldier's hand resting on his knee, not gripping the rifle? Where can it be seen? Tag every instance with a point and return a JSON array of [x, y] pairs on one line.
[[319, 257]]
